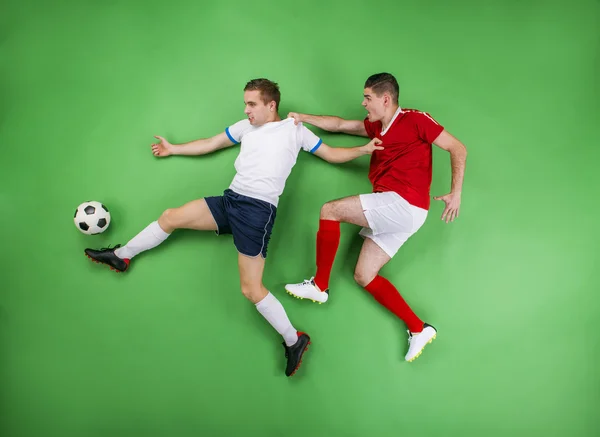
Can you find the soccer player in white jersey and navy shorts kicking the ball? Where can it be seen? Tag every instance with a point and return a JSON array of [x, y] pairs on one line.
[[247, 209]]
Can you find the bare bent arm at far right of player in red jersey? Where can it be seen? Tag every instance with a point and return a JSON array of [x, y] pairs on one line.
[[458, 159]]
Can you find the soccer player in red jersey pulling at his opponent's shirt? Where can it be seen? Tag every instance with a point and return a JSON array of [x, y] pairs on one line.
[[401, 176]]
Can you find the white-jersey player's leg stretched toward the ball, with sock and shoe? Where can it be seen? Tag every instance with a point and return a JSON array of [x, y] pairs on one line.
[[192, 215]]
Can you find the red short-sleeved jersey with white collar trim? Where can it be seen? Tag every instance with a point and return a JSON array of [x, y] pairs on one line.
[[405, 164]]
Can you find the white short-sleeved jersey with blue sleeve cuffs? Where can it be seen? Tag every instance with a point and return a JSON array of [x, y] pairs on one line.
[[267, 155]]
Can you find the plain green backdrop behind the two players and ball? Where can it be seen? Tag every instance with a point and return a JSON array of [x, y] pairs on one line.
[[171, 348]]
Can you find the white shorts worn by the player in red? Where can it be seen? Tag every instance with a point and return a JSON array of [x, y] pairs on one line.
[[392, 220]]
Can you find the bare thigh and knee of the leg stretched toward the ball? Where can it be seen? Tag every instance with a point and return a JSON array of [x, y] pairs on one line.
[[192, 215]]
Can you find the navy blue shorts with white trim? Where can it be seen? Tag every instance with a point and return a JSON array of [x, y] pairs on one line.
[[249, 220]]
